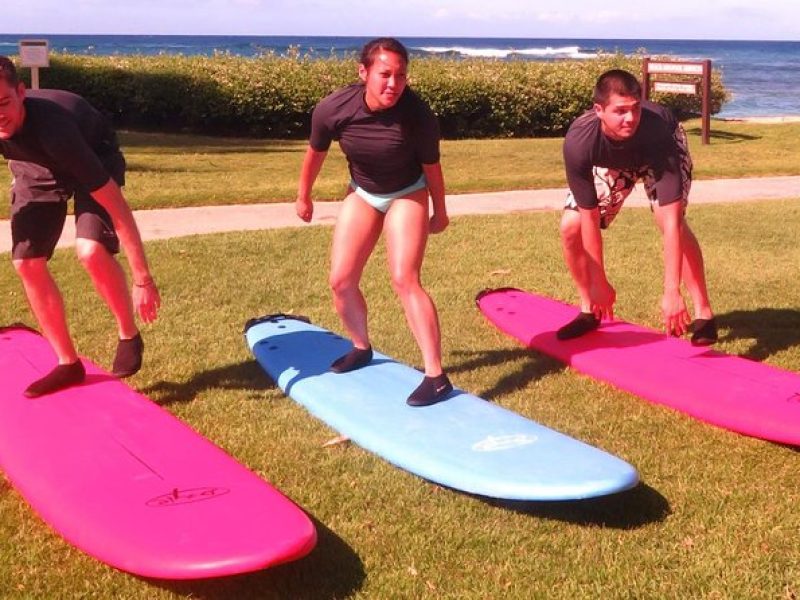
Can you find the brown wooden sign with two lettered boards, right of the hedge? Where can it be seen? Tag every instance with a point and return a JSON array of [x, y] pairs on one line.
[[694, 75]]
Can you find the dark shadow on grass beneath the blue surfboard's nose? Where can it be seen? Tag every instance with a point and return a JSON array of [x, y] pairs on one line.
[[637, 507]]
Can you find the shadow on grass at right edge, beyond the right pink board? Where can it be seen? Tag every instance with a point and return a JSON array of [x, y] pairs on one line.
[[773, 329]]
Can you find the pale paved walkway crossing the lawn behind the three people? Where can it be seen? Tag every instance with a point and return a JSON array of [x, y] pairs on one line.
[[177, 222]]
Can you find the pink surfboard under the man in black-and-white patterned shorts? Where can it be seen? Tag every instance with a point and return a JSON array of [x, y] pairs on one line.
[[728, 391]]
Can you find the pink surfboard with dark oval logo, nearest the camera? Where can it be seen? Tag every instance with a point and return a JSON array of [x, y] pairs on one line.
[[126, 482]]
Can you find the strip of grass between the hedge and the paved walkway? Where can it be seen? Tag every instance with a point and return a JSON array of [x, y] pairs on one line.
[[167, 170]]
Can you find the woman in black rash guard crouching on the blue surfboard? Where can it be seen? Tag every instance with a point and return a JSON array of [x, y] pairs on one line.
[[391, 140]]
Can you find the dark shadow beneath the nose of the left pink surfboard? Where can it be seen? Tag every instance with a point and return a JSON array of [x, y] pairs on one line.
[[331, 570]]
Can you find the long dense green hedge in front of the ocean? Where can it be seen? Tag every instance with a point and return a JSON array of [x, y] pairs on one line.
[[272, 96]]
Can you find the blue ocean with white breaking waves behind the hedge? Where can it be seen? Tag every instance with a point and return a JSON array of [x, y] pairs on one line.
[[763, 76]]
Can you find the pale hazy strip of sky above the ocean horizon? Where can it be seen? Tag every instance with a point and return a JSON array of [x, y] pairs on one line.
[[662, 19]]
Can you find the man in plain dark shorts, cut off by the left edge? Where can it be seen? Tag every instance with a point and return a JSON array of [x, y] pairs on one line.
[[58, 146]]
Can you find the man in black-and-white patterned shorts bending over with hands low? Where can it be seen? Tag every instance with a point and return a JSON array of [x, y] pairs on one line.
[[606, 150]]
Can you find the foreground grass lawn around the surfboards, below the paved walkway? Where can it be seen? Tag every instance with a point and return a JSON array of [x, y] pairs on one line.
[[716, 515]]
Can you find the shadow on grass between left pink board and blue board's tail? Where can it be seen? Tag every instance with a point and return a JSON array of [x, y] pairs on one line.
[[236, 376]]
